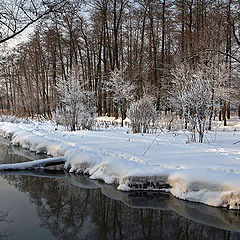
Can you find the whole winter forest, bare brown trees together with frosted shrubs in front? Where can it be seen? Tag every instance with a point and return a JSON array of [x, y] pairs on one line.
[[135, 58]]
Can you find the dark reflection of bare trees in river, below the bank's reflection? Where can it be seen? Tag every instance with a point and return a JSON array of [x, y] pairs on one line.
[[70, 212]]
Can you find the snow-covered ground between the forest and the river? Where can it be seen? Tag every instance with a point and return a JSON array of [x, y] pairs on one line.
[[208, 173]]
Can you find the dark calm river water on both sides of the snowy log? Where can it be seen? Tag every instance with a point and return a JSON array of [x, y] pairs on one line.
[[57, 205]]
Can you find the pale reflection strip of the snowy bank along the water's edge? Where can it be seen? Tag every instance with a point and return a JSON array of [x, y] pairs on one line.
[[216, 217]]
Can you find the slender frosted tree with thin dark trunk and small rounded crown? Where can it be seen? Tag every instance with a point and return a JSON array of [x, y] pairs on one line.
[[121, 91]]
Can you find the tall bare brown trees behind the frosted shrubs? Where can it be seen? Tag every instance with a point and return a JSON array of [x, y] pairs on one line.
[[146, 39]]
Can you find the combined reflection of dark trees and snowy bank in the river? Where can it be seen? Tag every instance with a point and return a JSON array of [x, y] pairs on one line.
[[75, 207]]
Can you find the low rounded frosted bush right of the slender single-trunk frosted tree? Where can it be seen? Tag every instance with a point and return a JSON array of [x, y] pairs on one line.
[[143, 114]]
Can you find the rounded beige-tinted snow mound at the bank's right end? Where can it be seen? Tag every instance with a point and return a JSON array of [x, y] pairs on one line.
[[214, 188]]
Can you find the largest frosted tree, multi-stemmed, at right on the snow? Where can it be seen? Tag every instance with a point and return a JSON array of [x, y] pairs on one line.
[[197, 93]]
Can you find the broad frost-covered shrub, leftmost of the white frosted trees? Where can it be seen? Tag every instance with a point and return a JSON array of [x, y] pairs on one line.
[[78, 107]]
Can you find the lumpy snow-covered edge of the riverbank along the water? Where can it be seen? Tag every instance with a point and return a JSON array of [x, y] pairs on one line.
[[150, 181]]
